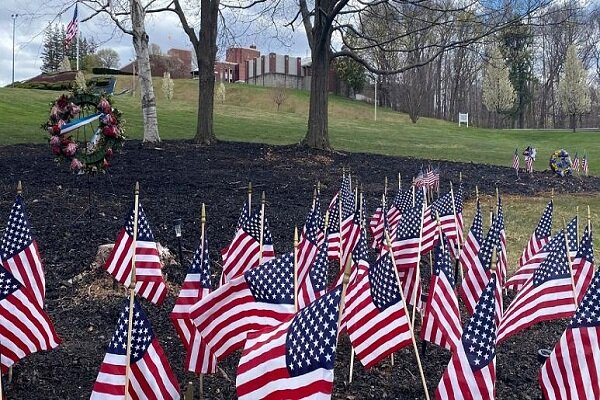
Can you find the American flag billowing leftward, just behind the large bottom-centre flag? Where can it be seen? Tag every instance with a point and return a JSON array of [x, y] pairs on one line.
[[262, 297]]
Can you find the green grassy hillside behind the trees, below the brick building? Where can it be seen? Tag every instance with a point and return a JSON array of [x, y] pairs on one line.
[[249, 114]]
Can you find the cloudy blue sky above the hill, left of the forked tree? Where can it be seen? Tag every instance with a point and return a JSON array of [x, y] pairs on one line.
[[164, 29]]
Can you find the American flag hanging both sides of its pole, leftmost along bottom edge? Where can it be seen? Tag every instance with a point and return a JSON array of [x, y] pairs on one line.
[[150, 375]]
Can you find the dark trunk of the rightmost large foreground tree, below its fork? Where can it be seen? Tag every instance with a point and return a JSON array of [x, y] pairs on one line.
[[317, 135]]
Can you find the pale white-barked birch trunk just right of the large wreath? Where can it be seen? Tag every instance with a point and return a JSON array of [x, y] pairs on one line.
[[140, 44]]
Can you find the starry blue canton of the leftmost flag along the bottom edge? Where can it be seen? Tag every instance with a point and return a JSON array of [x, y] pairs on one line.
[[141, 333]]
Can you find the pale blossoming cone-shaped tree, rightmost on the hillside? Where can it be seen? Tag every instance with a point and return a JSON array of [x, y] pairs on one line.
[[573, 88]]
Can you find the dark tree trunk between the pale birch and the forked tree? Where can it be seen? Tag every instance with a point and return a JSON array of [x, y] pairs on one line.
[[206, 55]]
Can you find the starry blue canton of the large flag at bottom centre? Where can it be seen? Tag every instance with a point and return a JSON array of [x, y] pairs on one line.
[[312, 336]]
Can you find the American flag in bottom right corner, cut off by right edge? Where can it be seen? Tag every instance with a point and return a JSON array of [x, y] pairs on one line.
[[571, 372]]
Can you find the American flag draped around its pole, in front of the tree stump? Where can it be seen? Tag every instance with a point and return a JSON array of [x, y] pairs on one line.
[[149, 280]]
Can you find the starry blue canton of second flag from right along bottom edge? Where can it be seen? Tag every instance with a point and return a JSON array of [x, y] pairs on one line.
[[479, 335]]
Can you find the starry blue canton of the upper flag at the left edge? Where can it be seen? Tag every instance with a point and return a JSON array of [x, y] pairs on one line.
[[17, 235]]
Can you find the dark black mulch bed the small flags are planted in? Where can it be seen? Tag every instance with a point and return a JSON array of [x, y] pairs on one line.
[[72, 215]]
